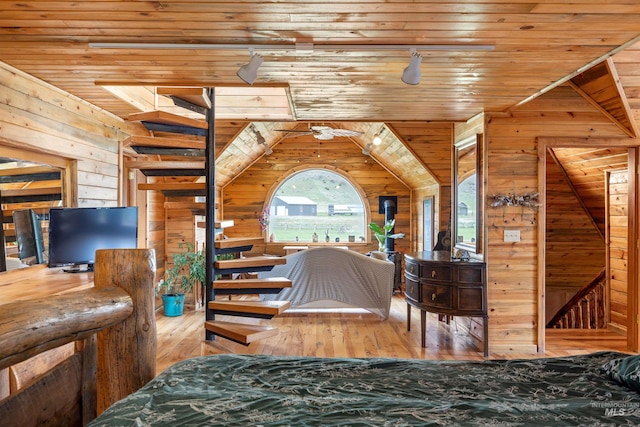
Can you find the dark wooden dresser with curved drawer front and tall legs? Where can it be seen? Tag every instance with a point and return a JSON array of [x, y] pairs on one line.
[[436, 283]]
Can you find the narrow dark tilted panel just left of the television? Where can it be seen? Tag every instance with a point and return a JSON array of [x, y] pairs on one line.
[[29, 237]]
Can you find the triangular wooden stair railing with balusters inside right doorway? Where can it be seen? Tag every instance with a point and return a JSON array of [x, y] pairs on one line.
[[587, 308]]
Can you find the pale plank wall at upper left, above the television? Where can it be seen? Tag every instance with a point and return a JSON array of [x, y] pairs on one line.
[[38, 117]]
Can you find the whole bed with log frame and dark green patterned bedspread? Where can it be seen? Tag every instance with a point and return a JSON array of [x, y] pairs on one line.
[[113, 384]]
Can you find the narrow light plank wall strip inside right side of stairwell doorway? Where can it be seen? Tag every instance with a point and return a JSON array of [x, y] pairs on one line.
[[617, 228]]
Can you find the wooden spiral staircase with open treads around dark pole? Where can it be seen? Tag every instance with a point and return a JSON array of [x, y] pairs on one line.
[[188, 157]]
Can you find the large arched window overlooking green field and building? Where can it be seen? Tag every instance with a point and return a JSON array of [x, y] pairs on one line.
[[317, 205]]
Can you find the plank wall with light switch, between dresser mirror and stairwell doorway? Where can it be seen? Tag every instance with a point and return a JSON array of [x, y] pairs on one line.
[[512, 166]]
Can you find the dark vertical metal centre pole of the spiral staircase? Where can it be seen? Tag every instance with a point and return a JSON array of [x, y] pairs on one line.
[[210, 251]]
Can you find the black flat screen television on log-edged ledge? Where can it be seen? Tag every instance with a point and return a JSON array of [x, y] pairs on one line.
[[75, 234]]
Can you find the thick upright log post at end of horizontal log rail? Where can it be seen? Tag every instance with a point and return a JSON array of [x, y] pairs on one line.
[[127, 351]]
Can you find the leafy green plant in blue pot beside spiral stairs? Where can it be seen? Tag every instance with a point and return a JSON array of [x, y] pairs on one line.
[[187, 272]]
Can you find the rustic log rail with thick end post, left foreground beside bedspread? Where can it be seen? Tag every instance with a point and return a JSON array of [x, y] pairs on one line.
[[113, 327]]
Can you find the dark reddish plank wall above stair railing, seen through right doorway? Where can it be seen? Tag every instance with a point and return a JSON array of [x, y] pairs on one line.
[[570, 235]]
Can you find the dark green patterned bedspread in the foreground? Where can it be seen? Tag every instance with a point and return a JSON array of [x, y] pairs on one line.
[[236, 390]]
